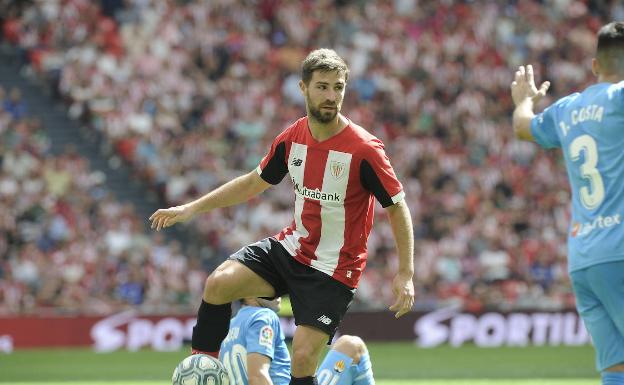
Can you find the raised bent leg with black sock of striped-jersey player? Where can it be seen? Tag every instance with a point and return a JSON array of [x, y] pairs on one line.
[[248, 273]]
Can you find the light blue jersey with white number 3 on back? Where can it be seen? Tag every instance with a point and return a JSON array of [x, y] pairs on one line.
[[589, 128]]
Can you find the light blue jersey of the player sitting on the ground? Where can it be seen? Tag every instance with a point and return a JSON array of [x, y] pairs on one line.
[[255, 330]]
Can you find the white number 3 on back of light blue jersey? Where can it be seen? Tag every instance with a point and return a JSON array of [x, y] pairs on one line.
[[591, 197]]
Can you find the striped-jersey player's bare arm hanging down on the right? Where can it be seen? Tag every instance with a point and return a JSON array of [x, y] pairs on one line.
[[402, 285]]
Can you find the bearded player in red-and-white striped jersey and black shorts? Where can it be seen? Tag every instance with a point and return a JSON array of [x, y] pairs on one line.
[[337, 170]]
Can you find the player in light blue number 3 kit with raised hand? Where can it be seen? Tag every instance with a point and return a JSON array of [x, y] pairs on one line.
[[589, 128]]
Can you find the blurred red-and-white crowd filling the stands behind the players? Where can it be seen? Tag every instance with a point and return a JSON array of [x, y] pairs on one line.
[[191, 93]]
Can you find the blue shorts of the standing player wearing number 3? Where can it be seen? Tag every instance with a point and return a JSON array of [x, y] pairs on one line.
[[599, 291]]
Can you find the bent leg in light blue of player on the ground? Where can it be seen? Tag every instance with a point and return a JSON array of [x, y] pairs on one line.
[[348, 362]]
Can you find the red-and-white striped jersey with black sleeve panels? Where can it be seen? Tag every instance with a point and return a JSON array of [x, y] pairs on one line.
[[334, 183]]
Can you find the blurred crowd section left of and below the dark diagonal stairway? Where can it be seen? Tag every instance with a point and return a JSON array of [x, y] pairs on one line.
[[66, 245]]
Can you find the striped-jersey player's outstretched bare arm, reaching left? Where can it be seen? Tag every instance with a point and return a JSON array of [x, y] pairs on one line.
[[236, 191]]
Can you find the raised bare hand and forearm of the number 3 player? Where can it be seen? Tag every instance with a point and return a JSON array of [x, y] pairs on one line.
[[525, 96]]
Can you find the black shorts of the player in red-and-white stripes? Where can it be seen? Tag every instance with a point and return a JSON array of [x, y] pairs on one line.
[[317, 299]]
